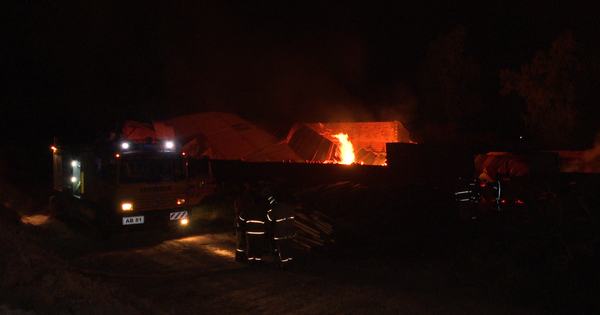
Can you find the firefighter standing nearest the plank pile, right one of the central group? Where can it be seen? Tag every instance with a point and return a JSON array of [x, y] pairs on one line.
[[281, 216]]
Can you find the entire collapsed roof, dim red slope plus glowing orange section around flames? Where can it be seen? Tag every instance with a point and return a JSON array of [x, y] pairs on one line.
[[225, 136]]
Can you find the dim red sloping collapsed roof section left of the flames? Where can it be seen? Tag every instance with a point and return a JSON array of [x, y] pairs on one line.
[[224, 136]]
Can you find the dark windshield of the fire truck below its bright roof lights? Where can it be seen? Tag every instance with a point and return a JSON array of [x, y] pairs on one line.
[[142, 169]]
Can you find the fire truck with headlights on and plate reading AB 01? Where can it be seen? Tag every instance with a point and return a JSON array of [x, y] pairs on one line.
[[138, 178]]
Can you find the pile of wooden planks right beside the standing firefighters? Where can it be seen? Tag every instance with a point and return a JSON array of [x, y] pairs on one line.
[[313, 231]]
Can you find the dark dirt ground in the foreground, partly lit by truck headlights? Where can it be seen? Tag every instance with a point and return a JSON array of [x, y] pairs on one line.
[[400, 263]]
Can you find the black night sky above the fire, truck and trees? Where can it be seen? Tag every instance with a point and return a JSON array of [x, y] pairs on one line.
[[71, 67]]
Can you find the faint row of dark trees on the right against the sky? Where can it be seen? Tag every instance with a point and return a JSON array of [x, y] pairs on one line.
[[549, 103]]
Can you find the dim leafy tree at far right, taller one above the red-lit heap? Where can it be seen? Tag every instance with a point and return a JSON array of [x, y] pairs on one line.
[[548, 86]]
